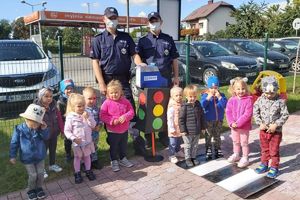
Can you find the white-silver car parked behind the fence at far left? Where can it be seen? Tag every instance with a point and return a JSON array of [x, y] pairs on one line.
[[24, 69]]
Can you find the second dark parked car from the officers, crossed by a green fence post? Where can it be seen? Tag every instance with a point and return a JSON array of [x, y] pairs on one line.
[[275, 61]]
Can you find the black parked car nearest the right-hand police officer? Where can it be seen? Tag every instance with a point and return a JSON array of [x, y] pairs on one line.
[[209, 58]]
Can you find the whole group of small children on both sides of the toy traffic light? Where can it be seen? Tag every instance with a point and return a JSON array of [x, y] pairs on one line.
[[79, 120]]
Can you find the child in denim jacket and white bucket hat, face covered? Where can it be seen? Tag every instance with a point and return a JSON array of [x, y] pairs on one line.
[[28, 139]]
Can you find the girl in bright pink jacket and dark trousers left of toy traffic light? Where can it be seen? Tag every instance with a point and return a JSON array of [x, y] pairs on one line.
[[116, 112]]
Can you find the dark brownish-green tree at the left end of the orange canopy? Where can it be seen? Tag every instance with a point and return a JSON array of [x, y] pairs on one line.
[[20, 31]]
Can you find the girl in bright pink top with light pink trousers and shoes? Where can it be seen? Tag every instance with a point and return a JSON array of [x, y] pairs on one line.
[[239, 113]]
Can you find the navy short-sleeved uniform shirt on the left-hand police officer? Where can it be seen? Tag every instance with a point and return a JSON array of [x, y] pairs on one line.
[[114, 54]]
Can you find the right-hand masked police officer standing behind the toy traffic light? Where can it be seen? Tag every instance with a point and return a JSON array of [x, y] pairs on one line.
[[159, 48]]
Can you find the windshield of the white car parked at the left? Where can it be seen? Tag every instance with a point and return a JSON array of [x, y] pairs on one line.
[[20, 51]]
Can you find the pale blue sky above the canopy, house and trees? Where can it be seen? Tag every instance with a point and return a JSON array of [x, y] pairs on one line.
[[12, 9]]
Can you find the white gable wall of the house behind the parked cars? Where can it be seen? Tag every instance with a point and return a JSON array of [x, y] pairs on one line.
[[217, 20]]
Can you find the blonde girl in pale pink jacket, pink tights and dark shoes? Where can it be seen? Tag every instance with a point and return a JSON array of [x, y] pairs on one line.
[[78, 129]]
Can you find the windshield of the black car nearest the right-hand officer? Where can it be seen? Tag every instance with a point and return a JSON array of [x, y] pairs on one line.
[[212, 50]]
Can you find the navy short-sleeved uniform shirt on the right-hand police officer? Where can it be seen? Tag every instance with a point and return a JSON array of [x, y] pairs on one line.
[[160, 50]]
